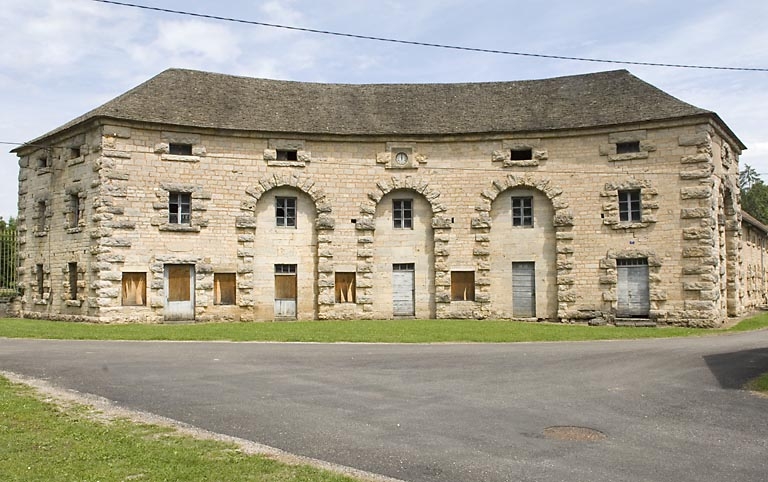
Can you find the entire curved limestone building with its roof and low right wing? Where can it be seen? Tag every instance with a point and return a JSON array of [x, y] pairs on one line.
[[201, 196]]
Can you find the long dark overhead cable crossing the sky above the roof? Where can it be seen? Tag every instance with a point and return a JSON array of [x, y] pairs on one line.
[[428, 44]]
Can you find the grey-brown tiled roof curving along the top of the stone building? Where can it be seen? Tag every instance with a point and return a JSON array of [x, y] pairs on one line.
[[202, 99]]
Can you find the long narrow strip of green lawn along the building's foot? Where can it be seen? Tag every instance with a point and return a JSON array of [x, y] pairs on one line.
[[388, 331]]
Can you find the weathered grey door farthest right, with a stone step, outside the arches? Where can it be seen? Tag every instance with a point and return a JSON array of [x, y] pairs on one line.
[[633, 293]]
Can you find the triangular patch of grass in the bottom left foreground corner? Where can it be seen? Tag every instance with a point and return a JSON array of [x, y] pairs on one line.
[[40, 441]]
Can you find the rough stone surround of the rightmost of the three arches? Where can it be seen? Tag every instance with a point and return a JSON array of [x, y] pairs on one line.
[[562, 221]]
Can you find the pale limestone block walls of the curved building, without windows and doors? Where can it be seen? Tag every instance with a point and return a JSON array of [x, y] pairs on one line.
[[689, 232]]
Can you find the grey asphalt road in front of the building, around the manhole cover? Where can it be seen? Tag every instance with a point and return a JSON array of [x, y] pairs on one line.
[[670, 410]]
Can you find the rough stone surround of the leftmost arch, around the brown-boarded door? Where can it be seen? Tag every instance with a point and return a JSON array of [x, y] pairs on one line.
[[322, 269]]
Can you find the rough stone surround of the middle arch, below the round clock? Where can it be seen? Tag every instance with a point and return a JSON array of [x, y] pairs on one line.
[[366, 227]]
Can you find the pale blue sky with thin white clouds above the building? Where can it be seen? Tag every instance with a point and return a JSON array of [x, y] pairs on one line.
[[61, 58]]
